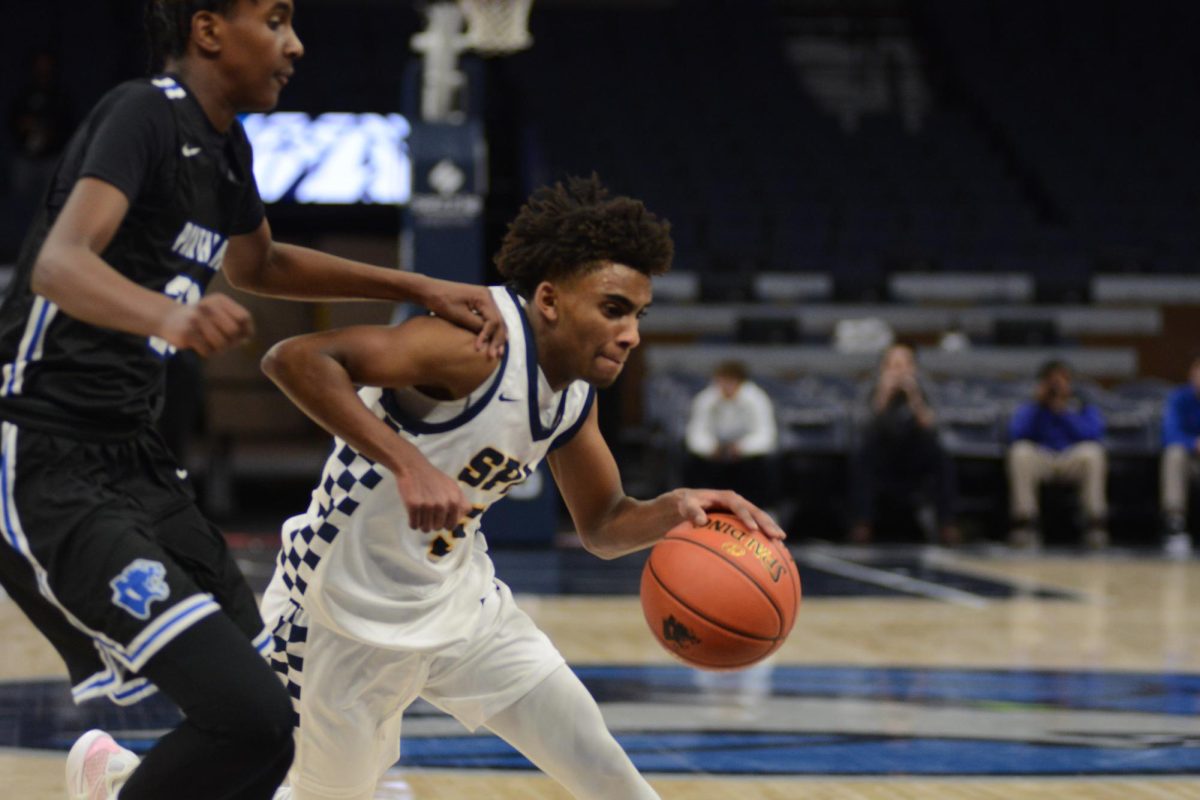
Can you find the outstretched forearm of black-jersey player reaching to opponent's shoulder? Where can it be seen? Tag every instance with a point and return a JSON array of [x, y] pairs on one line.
[[303, 274]]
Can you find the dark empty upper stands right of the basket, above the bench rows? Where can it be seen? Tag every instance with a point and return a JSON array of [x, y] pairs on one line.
[[695, 109]]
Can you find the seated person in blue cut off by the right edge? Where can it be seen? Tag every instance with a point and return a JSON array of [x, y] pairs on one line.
[[1181, 448]]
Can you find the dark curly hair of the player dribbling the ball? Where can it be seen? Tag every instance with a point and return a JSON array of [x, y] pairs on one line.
[[571, 230]]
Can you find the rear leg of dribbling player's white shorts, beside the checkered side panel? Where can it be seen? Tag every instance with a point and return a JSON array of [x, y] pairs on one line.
[[349, 700]]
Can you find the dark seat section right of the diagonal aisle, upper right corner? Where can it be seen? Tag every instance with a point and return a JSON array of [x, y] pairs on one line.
[[1093, 103]]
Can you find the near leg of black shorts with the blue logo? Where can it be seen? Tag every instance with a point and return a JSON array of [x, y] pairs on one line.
[[91, 546]]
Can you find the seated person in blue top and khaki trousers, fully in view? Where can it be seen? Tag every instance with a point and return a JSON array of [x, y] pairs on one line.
[[1057, 437]]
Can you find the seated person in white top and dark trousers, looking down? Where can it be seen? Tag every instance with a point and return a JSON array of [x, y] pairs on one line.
[[731, 436]]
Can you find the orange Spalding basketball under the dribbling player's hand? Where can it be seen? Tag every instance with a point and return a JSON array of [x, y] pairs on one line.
[[721, 597]]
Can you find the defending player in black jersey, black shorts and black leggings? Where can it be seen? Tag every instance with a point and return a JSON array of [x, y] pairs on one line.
[[101, 543]]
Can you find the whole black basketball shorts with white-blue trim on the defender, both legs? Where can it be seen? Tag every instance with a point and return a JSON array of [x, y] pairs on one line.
[[104, 549]]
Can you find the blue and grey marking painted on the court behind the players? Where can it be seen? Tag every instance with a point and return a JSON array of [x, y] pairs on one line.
[[1144, 723]]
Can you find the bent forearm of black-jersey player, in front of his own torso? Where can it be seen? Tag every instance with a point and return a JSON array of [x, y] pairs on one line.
[[83, 286]]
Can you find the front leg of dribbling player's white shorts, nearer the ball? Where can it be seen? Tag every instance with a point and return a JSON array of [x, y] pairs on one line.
[[508, 658]]
